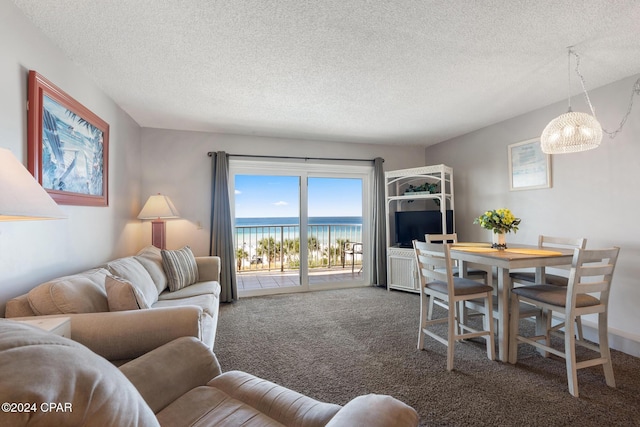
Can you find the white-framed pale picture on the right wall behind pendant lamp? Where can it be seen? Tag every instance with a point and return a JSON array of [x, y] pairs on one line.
[[529, 167]]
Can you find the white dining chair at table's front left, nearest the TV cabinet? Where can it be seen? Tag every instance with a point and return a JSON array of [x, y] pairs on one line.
[[435, 270]]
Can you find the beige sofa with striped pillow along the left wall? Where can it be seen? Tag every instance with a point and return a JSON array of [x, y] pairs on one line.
[[131, 305]]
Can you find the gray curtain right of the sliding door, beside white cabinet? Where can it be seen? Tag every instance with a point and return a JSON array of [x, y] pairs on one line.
[[379, 239]]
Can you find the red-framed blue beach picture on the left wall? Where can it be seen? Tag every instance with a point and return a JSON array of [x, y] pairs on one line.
[[67, 146]]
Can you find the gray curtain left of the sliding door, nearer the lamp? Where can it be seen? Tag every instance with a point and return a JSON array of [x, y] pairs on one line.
[[221, 239]]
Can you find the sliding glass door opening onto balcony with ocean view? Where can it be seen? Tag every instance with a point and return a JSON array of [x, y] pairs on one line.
[[300, 226]]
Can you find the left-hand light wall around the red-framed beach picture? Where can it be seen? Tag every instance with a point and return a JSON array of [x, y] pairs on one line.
[[34, 251]]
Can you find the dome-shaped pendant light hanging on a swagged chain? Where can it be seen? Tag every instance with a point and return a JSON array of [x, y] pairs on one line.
[[574, 131]]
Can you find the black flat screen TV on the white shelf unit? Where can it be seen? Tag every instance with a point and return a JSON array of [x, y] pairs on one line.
[[413, 225]]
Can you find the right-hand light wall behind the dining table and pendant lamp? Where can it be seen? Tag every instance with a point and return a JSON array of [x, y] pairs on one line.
[[594, 194]]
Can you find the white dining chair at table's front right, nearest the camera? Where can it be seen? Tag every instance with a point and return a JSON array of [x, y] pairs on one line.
[[591, 273]]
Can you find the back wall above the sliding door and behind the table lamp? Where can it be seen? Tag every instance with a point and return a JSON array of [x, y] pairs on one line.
[[175, 163]]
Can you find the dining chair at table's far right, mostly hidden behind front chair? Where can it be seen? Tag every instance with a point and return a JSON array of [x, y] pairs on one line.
[[529, 277]]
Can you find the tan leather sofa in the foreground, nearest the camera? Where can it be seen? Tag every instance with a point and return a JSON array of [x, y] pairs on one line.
[[51, 380]]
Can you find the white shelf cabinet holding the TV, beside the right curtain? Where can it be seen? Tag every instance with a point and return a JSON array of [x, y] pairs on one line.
[[428, 191]]
